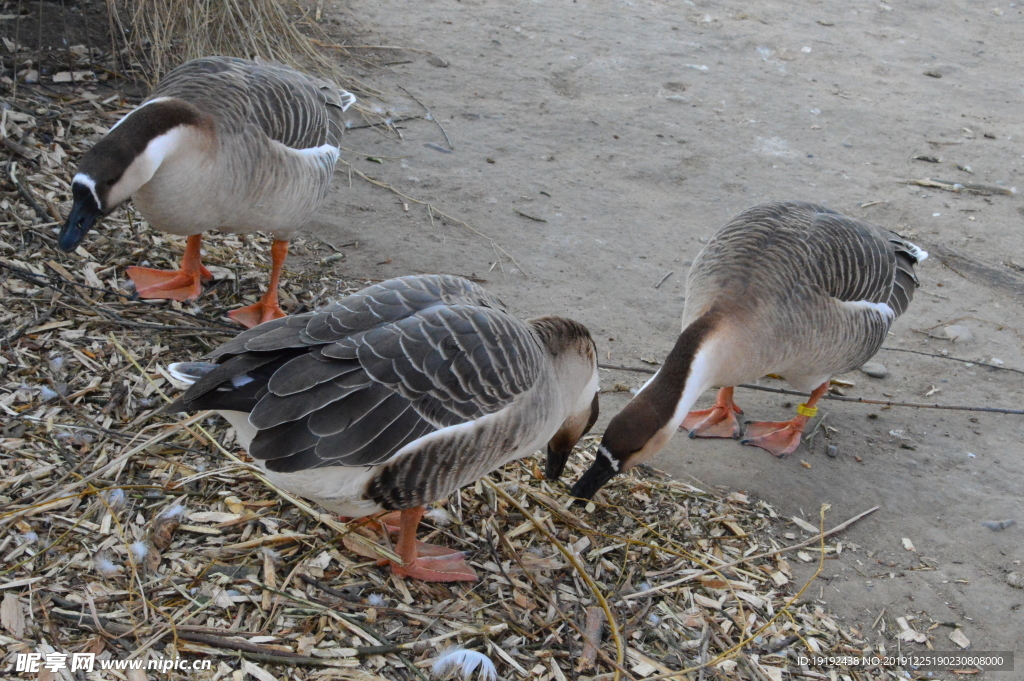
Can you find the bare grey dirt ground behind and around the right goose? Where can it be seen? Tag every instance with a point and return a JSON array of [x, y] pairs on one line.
[[630, 132]]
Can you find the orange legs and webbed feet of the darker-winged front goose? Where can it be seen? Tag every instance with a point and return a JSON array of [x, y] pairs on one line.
[[420, 561]]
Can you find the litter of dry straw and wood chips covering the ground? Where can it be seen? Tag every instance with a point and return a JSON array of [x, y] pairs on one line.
[[690, 584]]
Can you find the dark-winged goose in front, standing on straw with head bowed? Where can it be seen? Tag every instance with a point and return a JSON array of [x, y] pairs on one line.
[[397, 397]]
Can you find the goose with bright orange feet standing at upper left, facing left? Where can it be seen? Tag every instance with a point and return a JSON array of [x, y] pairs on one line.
[[223, 144]]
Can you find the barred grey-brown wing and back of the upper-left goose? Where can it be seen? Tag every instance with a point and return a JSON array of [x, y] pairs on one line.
[[289, 107]]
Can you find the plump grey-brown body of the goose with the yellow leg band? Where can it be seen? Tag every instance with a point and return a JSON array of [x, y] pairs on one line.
[[812, 291]]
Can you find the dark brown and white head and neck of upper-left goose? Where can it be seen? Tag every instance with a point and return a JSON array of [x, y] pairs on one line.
[[125, 160]]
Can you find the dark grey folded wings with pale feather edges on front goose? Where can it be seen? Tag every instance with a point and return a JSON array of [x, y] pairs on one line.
[[355, 384]]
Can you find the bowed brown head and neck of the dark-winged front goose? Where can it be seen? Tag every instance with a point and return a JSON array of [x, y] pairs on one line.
[[575, 357]]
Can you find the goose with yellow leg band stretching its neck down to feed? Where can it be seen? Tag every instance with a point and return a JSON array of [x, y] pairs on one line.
[[792, 289]]
